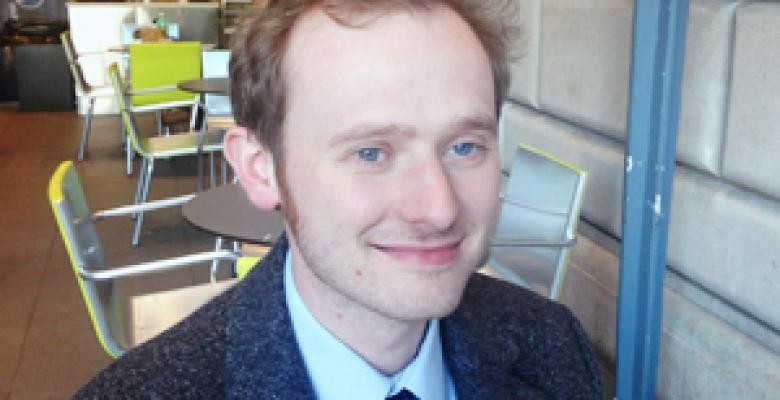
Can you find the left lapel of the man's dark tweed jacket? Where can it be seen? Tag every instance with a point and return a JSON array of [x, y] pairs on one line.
[[263, 360]]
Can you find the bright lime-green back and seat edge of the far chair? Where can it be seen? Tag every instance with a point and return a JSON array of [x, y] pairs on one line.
[[153, 65]]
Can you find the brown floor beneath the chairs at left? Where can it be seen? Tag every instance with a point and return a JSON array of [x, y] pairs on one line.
[[47, 346]]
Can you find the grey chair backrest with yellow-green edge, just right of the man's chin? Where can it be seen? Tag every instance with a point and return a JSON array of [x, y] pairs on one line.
[[541, 207]]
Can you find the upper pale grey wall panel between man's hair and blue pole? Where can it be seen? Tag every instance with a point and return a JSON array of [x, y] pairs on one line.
[[586, 47]]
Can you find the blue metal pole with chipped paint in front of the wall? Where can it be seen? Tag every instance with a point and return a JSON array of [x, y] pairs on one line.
[[654, 106]]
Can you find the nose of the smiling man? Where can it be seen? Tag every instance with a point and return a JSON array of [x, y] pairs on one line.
[[428, 199]]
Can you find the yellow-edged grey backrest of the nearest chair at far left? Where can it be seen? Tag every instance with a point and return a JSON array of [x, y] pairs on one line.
[[81, 240]]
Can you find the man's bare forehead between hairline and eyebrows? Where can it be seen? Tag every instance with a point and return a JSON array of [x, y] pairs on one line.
[[393, 65]]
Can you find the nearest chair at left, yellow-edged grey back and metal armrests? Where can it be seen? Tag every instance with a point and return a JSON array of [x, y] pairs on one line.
[[97, 281]]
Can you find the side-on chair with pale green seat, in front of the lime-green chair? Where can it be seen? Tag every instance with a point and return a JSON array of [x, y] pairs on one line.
[[152, 148]]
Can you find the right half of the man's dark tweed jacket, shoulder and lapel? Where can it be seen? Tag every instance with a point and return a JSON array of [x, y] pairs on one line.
[[531, 346]]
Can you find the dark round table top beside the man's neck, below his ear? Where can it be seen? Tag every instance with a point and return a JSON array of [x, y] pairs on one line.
[[225, 211]]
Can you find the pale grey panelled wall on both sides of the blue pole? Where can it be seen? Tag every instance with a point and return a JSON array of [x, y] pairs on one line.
[[721, 327]]
